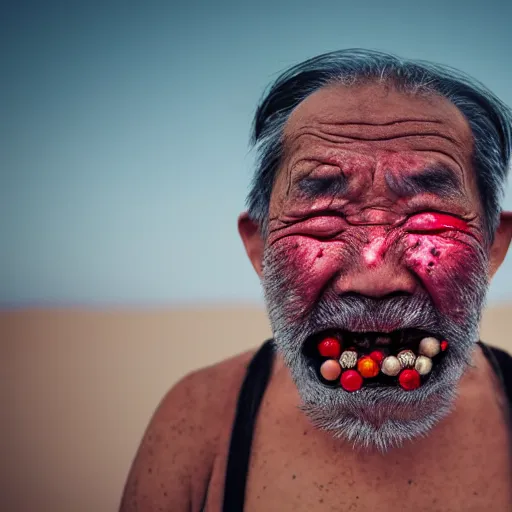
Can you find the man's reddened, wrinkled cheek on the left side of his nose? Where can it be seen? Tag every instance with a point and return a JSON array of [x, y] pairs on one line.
[[302, 267]]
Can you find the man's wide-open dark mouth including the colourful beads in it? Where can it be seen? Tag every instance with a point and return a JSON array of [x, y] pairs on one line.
[[352, 360]]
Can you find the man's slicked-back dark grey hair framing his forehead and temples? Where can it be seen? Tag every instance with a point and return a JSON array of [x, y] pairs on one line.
[[489, 118]]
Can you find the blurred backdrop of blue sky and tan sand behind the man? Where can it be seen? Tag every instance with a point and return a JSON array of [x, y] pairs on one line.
[[124, 164]]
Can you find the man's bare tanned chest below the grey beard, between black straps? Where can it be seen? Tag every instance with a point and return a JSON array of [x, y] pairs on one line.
[[294, 467]]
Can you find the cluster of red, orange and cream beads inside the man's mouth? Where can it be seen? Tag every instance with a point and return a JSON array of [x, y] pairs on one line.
[[351, 368]]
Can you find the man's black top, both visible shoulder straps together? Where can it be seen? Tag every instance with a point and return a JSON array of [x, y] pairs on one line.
[[249, 401]]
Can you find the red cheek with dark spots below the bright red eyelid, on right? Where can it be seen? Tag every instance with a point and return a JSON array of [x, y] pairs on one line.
[[450, 271]]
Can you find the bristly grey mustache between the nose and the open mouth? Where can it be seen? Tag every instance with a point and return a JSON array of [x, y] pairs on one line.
[[359, 313]]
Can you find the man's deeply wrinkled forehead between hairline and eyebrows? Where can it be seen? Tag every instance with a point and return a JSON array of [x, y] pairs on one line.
[[371, 118]]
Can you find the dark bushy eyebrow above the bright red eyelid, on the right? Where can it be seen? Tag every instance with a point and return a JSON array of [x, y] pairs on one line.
[[439, 180]]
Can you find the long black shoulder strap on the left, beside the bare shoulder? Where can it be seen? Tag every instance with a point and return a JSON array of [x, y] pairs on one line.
[[249, 400]]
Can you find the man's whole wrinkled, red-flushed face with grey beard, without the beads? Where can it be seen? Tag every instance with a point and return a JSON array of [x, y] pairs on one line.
[[375, 238]]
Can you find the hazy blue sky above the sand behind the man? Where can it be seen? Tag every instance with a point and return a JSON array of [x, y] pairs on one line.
[[124, 159]]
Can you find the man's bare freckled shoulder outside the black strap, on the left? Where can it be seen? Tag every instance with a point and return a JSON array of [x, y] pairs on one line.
[[173, 464]]
